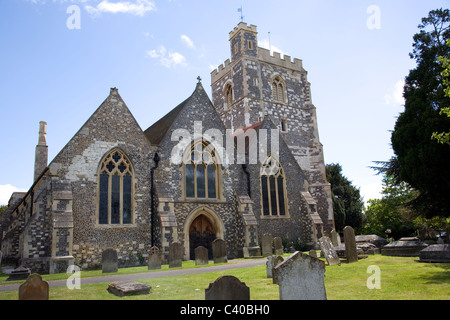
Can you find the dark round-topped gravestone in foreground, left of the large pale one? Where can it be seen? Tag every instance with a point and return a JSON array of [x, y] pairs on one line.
[[227, 288]]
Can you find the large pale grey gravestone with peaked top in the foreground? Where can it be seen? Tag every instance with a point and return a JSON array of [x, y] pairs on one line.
[[301, 277]]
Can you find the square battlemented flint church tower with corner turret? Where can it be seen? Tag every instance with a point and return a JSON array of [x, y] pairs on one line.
[[256, 84]]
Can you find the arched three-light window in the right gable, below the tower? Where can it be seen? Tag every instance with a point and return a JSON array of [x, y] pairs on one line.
[[273, 189]]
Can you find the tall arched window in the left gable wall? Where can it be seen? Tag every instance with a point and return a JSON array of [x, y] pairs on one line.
[[115, 180]]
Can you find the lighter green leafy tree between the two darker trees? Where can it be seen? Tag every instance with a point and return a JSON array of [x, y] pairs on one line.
[[391, 211]]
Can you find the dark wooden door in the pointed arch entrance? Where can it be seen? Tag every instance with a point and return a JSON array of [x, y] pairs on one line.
[[201, 233]]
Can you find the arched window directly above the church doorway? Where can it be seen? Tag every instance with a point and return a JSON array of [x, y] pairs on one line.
[[201, 171]]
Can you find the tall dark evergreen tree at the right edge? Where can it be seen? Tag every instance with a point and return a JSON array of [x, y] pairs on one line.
[[419, 161]]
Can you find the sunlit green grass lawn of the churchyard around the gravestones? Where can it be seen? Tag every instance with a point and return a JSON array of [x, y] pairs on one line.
[[401, 279]]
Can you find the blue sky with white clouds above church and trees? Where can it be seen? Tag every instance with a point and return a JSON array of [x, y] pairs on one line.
[[58, 66]]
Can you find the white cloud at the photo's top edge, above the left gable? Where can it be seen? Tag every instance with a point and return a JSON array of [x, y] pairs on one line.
[[138, 8]]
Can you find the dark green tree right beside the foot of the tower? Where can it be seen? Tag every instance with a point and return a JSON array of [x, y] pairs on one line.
[[347, 202]]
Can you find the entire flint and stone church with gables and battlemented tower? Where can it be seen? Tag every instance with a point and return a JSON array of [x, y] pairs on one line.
[[245, 164]]
